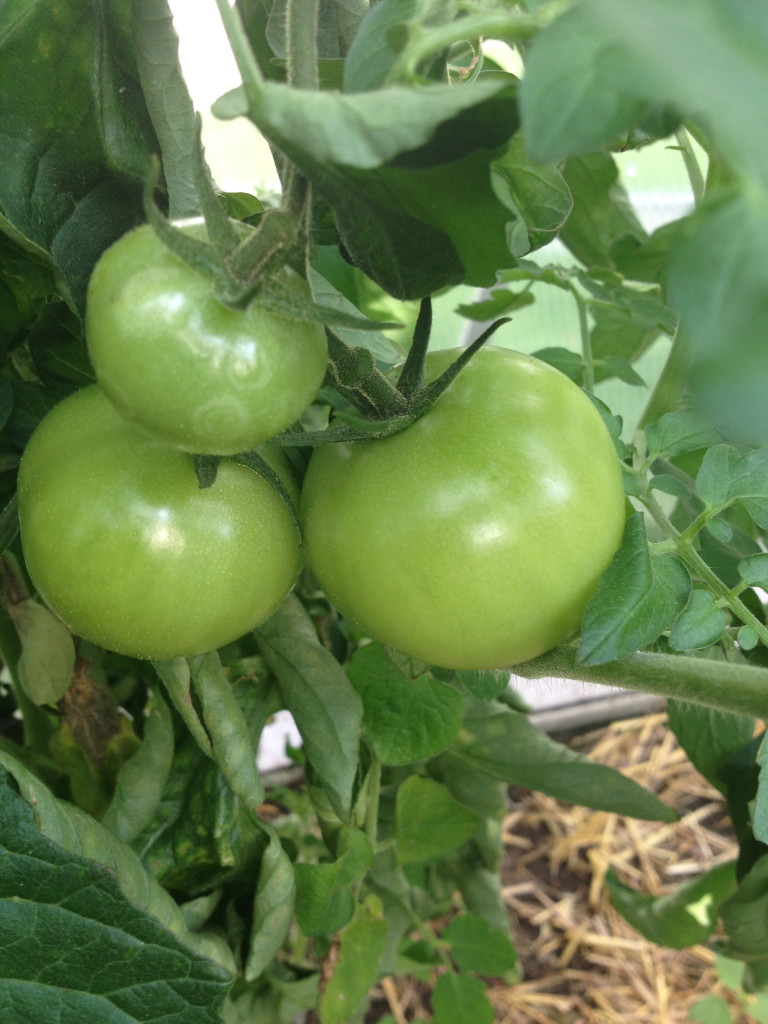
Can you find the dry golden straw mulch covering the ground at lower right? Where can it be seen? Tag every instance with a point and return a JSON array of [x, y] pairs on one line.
[[582, 963]]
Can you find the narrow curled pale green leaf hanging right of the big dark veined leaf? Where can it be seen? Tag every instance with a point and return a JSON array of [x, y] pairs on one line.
[[273, 907]]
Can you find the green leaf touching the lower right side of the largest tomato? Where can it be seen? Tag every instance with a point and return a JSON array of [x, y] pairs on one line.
[[638, 599]]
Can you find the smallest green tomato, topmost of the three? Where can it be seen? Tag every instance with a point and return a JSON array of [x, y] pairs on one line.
[[188, 370]]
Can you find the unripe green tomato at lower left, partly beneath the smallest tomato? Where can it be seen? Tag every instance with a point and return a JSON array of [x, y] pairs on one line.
[[125, 547]]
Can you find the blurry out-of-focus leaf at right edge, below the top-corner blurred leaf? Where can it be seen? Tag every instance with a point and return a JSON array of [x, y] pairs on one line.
[[718, 279]]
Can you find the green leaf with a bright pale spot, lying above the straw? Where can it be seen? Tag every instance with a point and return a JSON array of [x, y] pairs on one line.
[[684, 918]]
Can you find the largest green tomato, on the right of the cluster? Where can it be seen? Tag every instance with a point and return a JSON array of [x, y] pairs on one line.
[[474, 539]]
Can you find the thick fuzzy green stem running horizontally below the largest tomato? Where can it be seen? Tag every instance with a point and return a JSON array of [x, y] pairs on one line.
[[723, 686]]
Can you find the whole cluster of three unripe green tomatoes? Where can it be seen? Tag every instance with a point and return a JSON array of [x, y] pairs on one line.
[[472, 540]]
